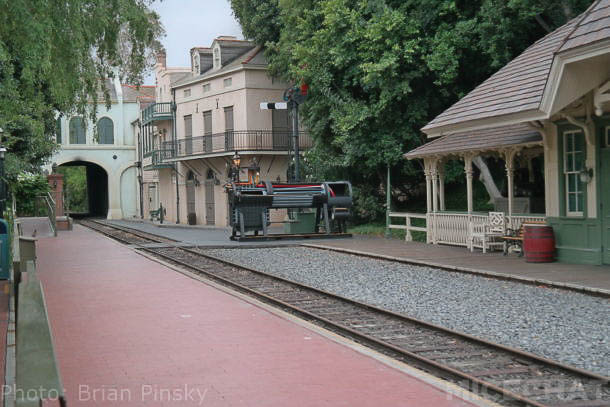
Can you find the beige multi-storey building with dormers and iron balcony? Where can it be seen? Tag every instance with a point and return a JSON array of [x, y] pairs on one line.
[[204, 115]]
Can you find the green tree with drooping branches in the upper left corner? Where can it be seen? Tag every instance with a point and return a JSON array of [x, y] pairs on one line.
[[52, 56]]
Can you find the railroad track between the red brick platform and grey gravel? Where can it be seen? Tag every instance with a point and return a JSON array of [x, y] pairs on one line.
[[505, 375]]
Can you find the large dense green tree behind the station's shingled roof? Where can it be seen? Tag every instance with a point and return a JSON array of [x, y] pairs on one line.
[[379, 70]]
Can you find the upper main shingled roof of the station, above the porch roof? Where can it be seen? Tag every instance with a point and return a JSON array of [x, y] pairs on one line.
[[519, 86]]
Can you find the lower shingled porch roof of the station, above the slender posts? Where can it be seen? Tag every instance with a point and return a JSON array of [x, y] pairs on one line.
[[480, 140]]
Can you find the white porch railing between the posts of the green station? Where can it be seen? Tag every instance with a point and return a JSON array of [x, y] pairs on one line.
[[457, 228]]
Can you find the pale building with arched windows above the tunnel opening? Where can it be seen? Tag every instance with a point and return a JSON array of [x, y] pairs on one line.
[[107, 149]]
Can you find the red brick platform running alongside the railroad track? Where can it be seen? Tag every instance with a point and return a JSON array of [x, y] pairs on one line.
[[131, 331]]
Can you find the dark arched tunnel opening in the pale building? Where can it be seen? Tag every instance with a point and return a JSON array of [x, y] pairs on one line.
[[86, 186]]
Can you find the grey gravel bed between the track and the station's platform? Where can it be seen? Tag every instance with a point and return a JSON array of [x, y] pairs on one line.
[[566, 326]]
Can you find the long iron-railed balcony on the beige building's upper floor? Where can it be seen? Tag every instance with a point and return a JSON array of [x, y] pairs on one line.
[[228, 142]]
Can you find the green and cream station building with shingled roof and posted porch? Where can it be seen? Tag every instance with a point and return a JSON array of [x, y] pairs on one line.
[[551, 103]]
